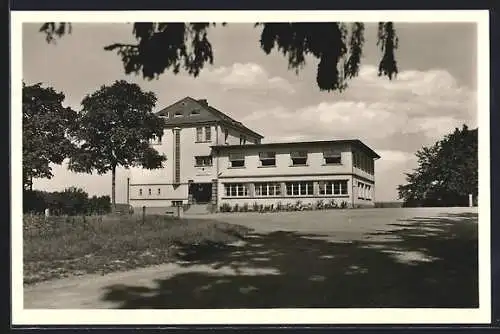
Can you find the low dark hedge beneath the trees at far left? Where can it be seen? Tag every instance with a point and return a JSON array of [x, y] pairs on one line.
[[71, 201]]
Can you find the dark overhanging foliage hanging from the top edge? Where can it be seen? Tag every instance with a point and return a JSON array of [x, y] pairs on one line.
[[174, 46]]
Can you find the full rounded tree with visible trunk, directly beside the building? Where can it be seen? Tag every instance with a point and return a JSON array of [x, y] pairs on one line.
[[115, 126]]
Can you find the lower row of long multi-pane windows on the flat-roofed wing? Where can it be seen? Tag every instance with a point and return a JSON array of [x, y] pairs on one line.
[[296, 188]]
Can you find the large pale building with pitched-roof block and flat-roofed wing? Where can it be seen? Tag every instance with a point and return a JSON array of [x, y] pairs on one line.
[[216, 160]]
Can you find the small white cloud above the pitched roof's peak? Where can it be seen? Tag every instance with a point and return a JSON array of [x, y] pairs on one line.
[[248, 76]]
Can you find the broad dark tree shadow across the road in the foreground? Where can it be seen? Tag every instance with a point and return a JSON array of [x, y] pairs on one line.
[[432, 262]]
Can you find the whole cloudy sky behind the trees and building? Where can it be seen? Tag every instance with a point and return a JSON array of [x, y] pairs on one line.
[[434, 92]]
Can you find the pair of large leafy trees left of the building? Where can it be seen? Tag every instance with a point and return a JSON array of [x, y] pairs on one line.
[[112, 129]]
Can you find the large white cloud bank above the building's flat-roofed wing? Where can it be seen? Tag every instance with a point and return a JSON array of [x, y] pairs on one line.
[[427, 103]]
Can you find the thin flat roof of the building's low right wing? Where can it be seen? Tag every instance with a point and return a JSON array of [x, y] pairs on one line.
[[355, 142]]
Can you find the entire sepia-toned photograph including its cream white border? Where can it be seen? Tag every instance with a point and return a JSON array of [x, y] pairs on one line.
[[260, 167]]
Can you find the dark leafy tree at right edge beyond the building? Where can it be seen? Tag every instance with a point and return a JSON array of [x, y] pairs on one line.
[[447, 172]]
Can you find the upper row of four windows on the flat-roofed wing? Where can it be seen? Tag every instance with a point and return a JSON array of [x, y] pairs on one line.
[[298, 158]]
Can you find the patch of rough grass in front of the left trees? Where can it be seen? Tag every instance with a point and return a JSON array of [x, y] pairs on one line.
[[67, 246]]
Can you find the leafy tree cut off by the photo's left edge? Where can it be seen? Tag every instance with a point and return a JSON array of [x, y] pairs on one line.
[[46, 125]]
